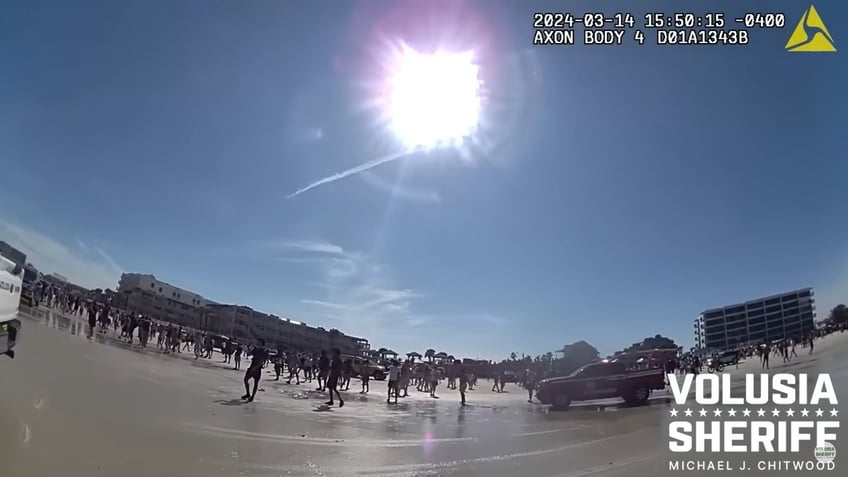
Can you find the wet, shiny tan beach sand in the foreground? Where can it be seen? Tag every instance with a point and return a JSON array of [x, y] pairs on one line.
[[75, 407]]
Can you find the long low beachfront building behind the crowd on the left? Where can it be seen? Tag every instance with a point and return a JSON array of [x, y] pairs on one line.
[[145, 294]]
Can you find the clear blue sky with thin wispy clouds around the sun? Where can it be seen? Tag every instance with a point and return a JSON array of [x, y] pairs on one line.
[[615, 192]]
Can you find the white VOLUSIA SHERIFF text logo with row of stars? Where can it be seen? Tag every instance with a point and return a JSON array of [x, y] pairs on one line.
[[788, 421]]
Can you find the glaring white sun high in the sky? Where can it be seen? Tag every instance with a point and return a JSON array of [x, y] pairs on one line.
[[433, 98]]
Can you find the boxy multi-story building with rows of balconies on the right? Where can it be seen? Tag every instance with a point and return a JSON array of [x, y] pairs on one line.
[[785, 315]]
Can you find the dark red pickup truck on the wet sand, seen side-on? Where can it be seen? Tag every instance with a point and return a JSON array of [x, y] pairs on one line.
[[601, 380]]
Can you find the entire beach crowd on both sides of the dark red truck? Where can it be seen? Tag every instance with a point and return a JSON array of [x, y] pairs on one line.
[[333, 371]]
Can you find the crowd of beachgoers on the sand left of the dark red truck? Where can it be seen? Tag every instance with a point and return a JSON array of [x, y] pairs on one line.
[[330, 371]]
